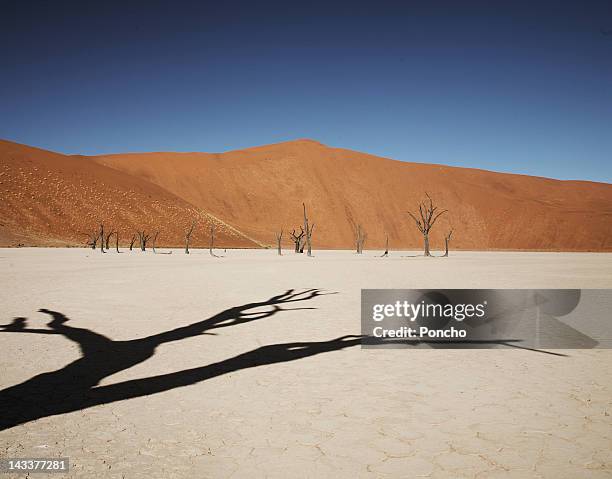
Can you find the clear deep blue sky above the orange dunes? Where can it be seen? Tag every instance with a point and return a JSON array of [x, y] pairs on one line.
[[522, 87]]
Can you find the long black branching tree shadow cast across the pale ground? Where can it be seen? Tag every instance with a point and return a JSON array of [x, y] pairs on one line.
[[75, 386]]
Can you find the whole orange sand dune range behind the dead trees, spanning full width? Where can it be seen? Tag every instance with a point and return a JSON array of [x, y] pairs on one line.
[[50, 199]]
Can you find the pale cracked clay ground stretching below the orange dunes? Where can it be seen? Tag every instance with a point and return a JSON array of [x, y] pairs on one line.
[[244, 389]]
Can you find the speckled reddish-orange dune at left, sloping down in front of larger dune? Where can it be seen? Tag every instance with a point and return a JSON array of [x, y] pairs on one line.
[[50, 199]]
